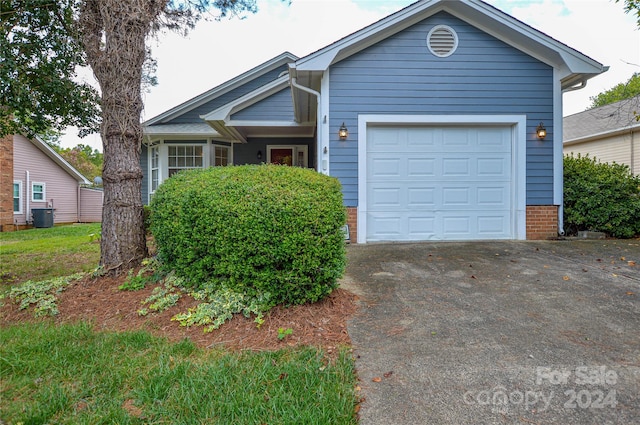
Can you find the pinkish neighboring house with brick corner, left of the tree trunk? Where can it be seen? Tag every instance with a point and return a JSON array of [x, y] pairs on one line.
[[43, 179]]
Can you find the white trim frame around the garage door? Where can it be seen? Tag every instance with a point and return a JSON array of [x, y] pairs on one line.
[[518, 123]]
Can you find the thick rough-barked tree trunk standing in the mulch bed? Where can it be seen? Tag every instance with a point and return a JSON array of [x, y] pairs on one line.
[[114, 34]]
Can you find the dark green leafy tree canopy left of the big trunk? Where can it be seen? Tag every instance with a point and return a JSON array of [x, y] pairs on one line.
[[39, 57]]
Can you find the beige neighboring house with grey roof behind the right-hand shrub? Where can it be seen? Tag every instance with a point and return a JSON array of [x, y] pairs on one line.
[[610, 133]]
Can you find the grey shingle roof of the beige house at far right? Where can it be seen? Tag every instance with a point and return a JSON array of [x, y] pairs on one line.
[[604, 121]]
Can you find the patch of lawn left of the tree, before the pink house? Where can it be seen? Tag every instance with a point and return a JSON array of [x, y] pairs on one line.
[[39, 254]]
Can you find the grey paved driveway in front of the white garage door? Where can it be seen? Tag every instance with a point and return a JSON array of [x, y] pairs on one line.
[[497, 332]]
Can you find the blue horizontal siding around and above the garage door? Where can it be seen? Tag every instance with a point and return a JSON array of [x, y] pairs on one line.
[[399, 75]]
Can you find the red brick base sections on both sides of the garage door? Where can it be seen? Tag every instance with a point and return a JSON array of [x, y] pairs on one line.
[[542, 222]]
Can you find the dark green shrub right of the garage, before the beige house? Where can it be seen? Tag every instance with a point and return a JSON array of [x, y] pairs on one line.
[[600, 197]]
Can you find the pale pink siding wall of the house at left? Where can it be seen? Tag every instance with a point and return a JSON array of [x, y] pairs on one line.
[[61, 189]]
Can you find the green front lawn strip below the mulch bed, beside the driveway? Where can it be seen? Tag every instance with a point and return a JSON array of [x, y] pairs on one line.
[[72, 374]]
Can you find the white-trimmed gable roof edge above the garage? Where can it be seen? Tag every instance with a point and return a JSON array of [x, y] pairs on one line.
[[574, 67]]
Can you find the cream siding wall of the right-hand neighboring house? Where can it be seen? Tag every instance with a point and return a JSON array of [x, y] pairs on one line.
[[621, 149]]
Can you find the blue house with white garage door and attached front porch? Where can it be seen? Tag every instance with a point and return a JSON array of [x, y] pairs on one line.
[[439, 104]]
